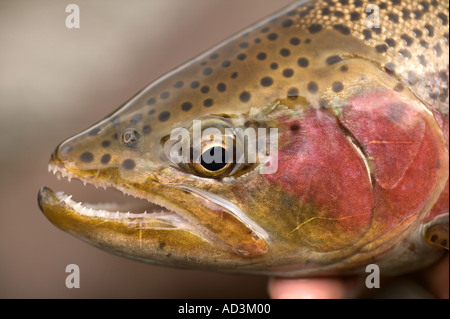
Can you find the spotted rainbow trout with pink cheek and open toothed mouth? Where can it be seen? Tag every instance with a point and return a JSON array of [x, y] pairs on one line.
[[311, 143]]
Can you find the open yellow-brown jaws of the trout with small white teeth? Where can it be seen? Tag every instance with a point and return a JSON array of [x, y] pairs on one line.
[[152, 229]]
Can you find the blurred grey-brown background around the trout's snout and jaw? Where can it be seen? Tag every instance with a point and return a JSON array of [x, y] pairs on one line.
[[55, 82]]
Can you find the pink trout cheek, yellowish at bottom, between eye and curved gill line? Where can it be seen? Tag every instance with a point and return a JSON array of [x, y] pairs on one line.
[[324, 171]]
